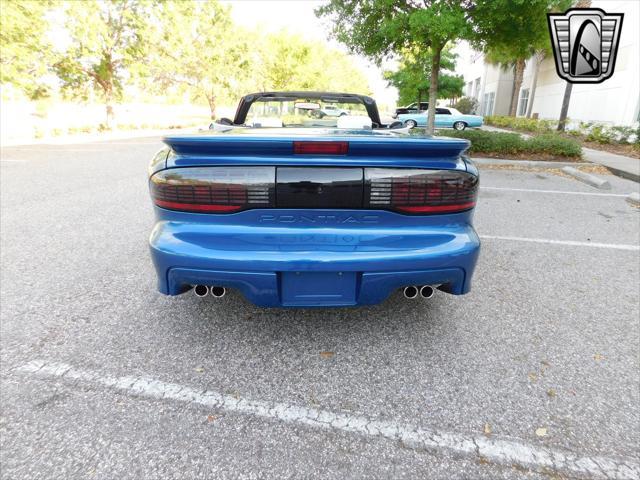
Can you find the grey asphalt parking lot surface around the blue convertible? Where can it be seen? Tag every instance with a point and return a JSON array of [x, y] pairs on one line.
[[534, 374]]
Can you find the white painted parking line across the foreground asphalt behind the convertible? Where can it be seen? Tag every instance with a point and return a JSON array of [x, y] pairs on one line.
[[500, 450]]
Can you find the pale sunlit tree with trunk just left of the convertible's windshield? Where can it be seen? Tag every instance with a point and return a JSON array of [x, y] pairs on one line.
[[197, 47]]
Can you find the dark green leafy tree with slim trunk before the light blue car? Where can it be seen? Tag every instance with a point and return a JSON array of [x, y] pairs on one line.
[[380, 28]]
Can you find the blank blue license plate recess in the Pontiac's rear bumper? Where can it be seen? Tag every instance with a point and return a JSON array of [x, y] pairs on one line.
[[318, 288]]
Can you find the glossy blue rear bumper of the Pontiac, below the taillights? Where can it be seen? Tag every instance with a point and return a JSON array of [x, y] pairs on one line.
[[302, 266]]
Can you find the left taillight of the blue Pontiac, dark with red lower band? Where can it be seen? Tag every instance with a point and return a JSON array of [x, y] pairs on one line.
[[214, 189]]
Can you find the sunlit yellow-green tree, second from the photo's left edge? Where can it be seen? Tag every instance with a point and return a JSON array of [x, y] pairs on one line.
[[108, 44]]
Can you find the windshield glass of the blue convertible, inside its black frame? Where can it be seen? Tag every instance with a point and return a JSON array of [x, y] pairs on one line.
[[307, 112]]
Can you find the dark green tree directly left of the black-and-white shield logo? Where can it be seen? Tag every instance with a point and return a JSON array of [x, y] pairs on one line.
[[511, 31]]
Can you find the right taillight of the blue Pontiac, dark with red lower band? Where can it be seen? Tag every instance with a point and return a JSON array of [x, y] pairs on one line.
[[420, 191]]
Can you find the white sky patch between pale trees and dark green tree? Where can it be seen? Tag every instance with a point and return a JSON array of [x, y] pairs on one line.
[[297, 16]]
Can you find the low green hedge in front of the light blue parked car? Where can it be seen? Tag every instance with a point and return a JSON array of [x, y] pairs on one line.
[[499, 143]]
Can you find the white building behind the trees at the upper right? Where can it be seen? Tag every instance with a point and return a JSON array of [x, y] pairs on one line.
[[614, 101]]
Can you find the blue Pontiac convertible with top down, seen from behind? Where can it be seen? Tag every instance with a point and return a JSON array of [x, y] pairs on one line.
[[294, 211]]
